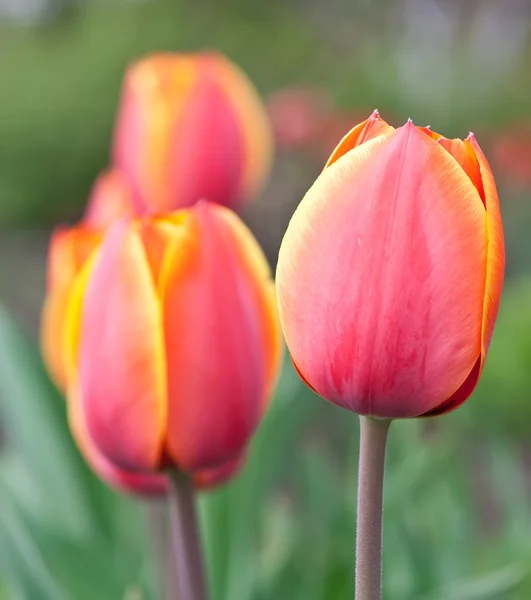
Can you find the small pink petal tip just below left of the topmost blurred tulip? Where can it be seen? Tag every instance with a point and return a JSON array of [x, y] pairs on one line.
[[110, 199]]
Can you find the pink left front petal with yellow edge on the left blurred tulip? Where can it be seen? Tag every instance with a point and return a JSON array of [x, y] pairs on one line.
[[121, 359]]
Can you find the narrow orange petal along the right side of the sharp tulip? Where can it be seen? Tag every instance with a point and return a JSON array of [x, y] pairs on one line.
[[495, 249]]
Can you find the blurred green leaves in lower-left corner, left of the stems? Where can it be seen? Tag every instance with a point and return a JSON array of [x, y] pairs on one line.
[[63, 534]]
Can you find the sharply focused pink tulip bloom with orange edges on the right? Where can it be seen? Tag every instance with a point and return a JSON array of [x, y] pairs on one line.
[[390, 273]]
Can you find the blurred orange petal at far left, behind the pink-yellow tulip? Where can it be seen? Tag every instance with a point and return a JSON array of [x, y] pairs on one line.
[[68, 250]]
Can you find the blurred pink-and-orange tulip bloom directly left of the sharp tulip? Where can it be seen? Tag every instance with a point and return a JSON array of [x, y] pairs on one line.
[[172, 345]]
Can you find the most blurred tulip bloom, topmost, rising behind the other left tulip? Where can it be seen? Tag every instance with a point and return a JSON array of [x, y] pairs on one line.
[[191, 127]]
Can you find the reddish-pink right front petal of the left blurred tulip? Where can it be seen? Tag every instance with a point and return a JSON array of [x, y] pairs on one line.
[[214, 345]]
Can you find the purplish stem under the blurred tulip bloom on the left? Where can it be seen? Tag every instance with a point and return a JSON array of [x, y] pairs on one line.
[[190, 576]]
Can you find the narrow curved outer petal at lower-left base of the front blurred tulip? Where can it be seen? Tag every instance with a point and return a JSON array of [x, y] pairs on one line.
[[125, 481]]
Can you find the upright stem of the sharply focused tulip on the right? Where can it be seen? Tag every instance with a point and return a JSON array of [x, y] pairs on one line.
[[373, 438]]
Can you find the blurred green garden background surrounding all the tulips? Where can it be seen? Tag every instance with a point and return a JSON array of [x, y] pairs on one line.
[[458, 489]]
